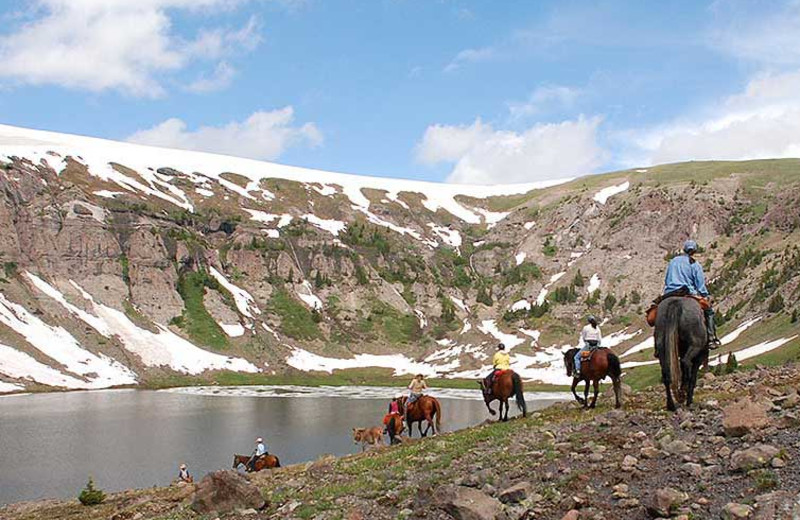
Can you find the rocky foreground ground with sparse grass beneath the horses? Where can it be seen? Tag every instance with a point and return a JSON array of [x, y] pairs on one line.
[[734, 455]]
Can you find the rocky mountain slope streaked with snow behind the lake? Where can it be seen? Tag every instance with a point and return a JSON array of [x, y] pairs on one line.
[[127, 264]]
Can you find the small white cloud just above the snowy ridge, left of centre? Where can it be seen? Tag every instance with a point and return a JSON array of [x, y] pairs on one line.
[[263, 135]]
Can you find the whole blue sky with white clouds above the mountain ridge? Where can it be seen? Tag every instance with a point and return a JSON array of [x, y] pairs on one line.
[[445, 90]]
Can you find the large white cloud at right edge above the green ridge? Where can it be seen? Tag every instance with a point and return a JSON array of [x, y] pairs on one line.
[[761, 122]]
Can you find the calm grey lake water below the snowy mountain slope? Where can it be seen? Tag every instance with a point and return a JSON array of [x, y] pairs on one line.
[[51, 443]]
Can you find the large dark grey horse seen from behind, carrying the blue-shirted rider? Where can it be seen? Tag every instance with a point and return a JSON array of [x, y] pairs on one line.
[[681, 345]]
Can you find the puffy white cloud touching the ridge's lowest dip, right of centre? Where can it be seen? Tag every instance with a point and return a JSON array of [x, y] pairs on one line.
[[482, 155]]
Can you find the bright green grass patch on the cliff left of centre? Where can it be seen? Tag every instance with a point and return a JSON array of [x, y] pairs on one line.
[[195, 320]]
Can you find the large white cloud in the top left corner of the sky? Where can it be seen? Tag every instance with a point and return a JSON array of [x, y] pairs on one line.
[[100, 45]]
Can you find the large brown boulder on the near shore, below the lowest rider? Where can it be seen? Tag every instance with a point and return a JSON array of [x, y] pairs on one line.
[[225, 491]]
